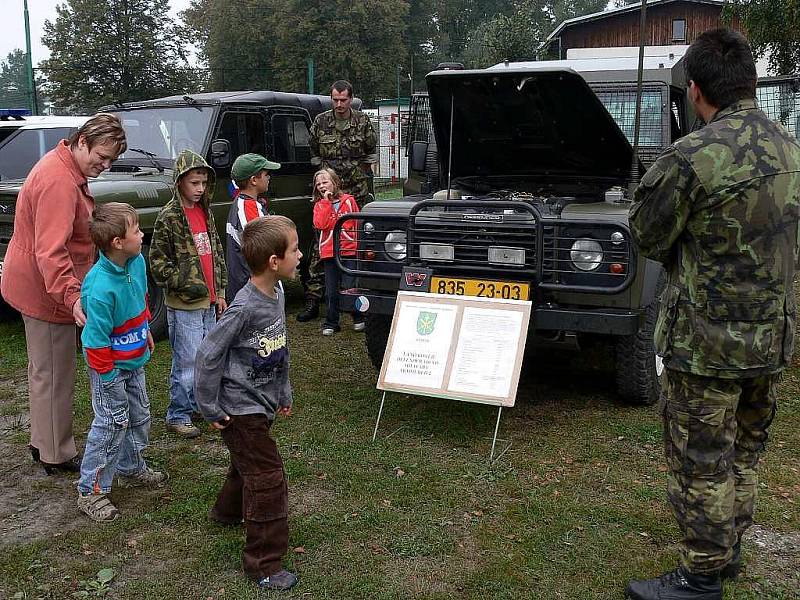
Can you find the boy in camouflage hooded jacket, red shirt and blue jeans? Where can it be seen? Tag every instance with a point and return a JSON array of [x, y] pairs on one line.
[[186, 261]]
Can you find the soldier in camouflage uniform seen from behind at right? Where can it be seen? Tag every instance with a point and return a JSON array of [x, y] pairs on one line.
[[720, 210]]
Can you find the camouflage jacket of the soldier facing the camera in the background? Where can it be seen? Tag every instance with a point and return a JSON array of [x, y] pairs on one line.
[[346, 150]]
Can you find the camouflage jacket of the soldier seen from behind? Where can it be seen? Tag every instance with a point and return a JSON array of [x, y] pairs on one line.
[[720, 208]]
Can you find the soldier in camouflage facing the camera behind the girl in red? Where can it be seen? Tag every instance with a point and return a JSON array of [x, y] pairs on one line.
[[344, 140]]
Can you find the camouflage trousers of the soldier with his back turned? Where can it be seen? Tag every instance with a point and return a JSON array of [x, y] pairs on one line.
[[714, 431]]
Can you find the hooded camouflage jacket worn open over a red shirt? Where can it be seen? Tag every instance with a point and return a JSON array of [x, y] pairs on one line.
[[174, 262]]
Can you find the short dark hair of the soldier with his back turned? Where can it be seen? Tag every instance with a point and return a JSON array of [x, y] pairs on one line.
[[721, 64]]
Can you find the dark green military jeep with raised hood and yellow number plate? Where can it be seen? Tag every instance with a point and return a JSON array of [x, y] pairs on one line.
[[536, 209]]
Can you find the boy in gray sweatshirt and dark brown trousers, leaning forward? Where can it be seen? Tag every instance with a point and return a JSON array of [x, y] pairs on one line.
[[241, 383]]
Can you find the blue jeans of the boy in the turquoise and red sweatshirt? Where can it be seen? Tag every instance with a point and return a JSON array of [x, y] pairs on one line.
[[119, 433]]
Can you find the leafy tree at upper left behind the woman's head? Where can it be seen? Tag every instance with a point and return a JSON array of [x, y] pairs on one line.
[[106, 51]]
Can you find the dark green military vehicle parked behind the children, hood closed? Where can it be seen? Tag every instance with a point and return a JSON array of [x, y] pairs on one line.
[[219, 126]]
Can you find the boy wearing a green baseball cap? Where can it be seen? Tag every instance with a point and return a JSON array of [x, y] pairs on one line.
[[250, 174]]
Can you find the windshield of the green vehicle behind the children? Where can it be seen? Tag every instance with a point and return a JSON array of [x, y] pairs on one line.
[[165, 131]]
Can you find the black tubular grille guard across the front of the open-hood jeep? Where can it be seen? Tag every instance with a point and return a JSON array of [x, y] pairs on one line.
[[479, 224]]
